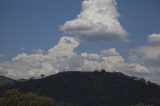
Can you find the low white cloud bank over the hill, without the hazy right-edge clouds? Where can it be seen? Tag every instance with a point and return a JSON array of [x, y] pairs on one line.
[[61, 57]]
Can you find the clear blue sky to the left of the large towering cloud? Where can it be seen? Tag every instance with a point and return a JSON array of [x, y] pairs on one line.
[[32, 24]]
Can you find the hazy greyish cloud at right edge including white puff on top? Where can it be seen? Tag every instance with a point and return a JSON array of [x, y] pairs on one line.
[[147, 54]]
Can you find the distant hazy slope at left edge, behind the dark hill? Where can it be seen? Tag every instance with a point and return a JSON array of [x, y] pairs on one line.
[[6, 81]]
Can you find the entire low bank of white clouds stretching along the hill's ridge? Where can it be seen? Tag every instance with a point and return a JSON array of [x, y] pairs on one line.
[[143, 61]]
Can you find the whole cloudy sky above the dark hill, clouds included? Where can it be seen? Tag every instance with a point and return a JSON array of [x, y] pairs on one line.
[[49, 36]]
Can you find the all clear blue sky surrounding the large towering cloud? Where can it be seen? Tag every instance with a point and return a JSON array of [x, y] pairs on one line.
[[35, 24]]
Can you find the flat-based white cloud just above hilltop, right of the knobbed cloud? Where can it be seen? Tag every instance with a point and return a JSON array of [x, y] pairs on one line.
[[100, 61]]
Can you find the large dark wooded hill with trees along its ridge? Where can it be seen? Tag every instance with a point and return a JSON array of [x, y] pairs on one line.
[[93, 89]]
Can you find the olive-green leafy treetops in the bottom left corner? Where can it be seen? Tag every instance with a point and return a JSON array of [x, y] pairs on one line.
[[15, 98]]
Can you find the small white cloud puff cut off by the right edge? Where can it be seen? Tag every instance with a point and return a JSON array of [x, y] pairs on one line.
[[154, 38]]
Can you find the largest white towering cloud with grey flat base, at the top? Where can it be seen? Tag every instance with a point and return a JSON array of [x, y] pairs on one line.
[[98, 20]]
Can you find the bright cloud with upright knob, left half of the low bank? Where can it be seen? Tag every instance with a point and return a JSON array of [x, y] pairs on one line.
[[57, 59]]
